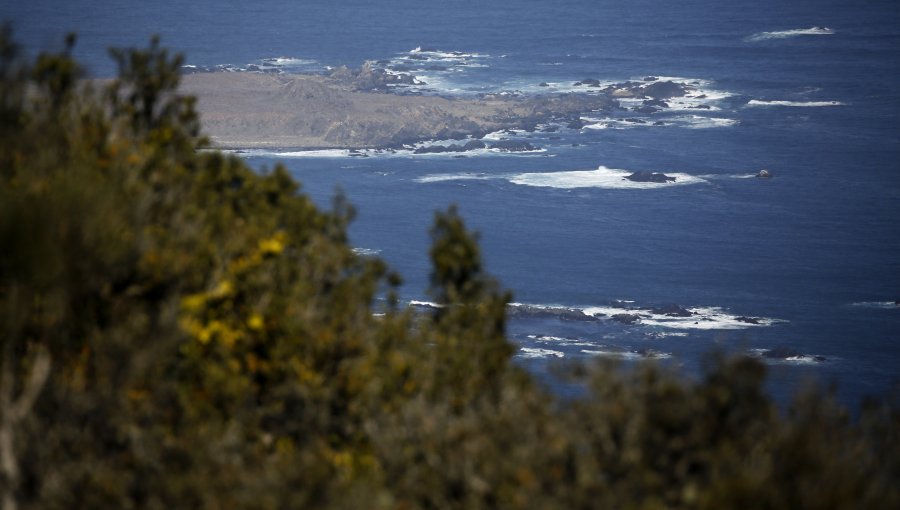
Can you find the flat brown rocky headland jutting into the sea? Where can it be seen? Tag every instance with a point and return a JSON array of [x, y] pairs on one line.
[[356, 109]]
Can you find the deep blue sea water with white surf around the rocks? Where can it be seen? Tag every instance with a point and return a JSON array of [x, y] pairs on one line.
[[806, 89]]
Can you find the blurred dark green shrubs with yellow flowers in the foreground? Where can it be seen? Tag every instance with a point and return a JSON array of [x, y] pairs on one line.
[[179, 331]]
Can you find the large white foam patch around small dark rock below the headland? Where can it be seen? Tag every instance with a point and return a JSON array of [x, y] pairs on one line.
[[602, 177]]
